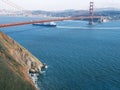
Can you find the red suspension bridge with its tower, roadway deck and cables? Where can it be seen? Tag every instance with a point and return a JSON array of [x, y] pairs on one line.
[[13, 5]]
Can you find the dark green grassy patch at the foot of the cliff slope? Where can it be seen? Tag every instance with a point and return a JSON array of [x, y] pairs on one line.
[[11, 81]]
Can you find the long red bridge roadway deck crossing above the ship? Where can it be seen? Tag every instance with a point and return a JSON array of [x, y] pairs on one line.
[[49, 20]]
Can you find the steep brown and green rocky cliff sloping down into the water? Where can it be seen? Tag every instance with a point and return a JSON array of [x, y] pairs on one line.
[[15, 64]]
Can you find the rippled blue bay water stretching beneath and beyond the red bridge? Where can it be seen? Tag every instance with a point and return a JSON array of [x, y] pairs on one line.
[[79, 56]]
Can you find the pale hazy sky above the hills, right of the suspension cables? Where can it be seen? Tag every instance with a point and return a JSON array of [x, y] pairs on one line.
[[64, 4]]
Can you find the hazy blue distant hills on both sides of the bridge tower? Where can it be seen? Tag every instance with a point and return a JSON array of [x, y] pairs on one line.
[[112, 12]]
